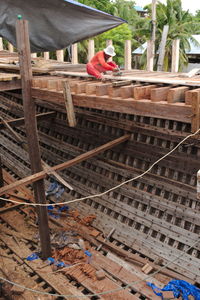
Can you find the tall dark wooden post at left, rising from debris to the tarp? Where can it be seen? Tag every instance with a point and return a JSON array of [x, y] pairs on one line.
[[31, 131]]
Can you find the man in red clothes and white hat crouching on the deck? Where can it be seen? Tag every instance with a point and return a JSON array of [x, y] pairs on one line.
[[98, 64]]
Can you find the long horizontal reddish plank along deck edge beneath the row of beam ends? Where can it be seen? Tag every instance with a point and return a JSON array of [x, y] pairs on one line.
[[176, 111]]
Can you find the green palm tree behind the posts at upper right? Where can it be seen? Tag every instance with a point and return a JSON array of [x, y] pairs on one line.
[[182, 25]]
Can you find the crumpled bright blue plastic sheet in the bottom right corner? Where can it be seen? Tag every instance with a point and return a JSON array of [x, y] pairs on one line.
[[179, 288]]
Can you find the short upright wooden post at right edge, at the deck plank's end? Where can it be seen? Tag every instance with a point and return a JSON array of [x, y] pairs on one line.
[[195, 111]]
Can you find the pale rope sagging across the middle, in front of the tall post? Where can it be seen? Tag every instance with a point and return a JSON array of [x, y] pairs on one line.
[[107, 191]]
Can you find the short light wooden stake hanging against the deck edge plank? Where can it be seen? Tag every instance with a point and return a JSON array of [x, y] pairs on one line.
[[69, 104]]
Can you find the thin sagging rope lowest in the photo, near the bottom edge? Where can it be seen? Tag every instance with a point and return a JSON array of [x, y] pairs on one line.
[[106, 292]]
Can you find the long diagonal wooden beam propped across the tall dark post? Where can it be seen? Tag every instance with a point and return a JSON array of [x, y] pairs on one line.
[[68, 164]]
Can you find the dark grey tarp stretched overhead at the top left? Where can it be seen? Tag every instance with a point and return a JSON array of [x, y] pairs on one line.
[[54, 24]]
